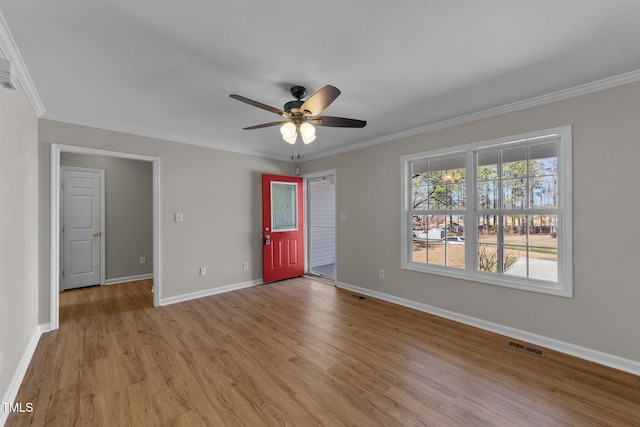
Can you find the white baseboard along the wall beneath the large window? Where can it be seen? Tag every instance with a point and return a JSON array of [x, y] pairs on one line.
[[610, 360]]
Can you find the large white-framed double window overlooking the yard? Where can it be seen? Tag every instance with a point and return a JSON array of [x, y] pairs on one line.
[[496, 212]]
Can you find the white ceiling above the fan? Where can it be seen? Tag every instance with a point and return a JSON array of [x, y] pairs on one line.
[[166, 68]]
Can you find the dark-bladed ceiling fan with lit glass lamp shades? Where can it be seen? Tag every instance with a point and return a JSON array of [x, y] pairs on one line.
[[302, 115]]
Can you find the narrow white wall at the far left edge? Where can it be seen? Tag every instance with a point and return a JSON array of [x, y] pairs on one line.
[[18, 233]]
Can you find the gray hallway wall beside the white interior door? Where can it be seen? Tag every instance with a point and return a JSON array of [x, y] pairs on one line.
[[128, 230]]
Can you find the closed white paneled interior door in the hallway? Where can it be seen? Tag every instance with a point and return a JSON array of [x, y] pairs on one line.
[[82, 227]]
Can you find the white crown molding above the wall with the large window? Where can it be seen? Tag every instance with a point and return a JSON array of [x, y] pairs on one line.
[[610, 82]]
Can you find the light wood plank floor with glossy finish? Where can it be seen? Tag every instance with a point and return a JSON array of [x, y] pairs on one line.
[[299, 353]]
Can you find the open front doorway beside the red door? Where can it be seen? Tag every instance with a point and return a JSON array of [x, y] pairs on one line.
[[321, 224]]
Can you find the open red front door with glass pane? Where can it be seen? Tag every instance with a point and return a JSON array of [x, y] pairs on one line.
[[282, 227]]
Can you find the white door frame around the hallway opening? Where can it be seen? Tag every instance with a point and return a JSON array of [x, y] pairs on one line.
[[56, 149]]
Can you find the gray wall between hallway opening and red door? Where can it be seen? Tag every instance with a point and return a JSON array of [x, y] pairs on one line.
[[218, 192]]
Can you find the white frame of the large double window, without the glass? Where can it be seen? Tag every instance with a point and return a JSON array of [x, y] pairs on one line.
[[564, 286]]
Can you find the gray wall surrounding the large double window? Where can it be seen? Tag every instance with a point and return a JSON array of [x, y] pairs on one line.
[[605, 313]]
